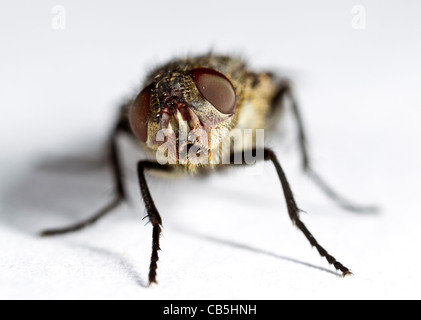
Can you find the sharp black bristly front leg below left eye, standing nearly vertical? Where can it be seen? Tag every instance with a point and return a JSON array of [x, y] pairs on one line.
[[152, 212]]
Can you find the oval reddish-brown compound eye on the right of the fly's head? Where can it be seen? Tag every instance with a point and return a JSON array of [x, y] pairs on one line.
[[216, 88]]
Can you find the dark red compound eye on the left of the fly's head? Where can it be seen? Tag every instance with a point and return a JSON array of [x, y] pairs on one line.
[[139, 114]]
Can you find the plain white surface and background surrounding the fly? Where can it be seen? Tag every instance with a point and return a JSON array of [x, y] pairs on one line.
[[228, 236]]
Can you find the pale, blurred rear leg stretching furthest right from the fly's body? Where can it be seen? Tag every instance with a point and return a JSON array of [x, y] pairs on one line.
[[284, 91]]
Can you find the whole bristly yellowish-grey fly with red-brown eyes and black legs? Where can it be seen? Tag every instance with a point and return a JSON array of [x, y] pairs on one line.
[[188, 116]]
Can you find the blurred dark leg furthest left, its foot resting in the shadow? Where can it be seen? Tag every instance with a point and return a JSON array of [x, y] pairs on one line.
[[120, 194]]
